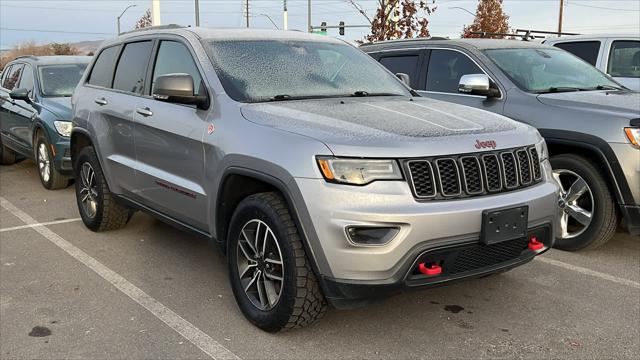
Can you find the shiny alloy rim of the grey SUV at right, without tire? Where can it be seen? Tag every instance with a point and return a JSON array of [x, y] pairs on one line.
[[576, 203]]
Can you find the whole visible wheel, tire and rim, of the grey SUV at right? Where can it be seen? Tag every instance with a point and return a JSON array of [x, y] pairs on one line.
[[589, 218]]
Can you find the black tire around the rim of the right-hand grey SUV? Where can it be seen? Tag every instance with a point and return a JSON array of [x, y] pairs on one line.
[[604, 219]]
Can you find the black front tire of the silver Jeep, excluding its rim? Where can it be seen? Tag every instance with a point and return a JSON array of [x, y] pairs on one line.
[[301, 302]]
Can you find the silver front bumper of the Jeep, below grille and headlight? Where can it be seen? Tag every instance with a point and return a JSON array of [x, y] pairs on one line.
[[424, 226]]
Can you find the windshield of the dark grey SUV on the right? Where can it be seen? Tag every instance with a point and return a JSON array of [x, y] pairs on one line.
[[549, 70]]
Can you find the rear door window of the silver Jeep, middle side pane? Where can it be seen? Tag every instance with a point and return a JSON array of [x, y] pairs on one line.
[[132, 67]]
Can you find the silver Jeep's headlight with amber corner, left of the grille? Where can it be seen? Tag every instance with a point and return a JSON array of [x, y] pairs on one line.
[[358, 171]]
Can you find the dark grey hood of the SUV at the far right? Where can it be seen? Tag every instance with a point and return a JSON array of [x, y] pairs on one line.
[[623, 103]]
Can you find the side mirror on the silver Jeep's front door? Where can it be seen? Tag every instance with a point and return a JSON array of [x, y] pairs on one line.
[[178, 88]]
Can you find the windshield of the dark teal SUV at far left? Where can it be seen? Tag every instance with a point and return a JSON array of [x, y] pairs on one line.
[[60, 80]]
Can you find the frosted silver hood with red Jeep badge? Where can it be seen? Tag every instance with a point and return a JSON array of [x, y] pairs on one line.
[[392, 126]]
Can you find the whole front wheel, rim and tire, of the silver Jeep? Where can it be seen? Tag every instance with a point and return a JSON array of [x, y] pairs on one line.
[[270, 275]]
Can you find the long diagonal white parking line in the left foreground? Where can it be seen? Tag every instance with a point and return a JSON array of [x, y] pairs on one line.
[[196, 336]]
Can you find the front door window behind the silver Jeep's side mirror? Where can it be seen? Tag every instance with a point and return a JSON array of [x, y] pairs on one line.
[[173, 57]]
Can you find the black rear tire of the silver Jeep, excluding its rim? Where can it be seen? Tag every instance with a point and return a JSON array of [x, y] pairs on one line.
[[109, 215]]
